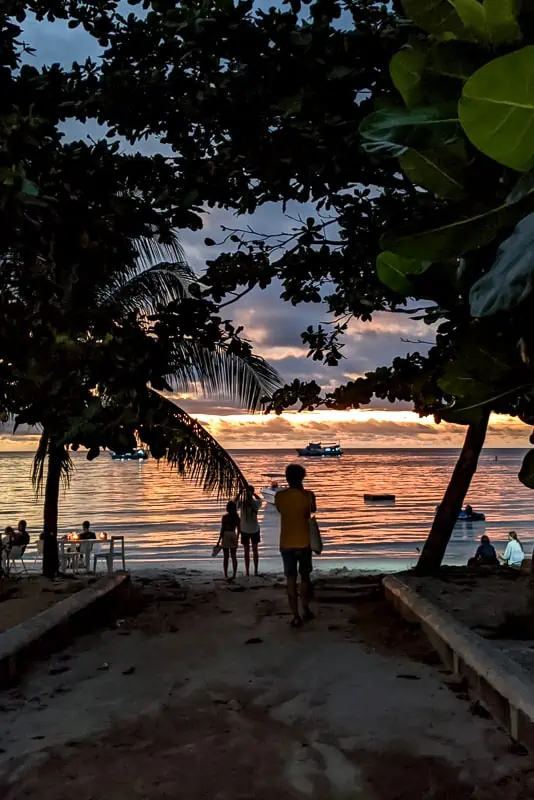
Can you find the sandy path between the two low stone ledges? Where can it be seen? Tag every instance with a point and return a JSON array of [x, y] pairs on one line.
[[336, 710]]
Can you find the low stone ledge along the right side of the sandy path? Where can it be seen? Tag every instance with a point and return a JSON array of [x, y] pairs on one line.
[[498, 682]]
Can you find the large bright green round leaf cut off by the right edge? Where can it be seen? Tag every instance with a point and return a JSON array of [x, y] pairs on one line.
[[497, 109]]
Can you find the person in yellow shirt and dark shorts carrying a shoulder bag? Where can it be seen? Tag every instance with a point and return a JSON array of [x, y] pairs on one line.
[[295, 506]]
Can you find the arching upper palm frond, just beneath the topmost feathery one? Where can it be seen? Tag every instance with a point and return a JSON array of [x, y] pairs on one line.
[[145, 289]]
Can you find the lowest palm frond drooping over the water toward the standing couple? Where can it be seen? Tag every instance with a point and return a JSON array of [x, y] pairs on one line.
[[191, 450]]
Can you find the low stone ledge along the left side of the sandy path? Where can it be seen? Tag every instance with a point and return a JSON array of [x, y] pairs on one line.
[[52, 628]]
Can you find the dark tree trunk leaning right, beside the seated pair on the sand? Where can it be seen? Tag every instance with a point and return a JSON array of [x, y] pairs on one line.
[[451, 505]]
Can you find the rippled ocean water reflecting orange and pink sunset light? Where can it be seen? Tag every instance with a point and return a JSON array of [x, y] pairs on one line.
[[168, 522]]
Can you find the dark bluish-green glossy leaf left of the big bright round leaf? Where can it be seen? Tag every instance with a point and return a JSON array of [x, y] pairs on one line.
[[392, 131]]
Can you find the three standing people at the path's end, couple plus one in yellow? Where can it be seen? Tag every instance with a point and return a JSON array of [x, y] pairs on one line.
[[296, 505]]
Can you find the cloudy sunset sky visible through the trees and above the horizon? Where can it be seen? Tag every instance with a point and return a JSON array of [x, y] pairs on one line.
[[274, 328]]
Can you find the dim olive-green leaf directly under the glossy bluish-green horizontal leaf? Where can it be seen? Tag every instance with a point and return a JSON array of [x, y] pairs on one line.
[[440, 171]]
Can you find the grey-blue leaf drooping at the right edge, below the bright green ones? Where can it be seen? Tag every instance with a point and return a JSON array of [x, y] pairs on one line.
[[510, 279]]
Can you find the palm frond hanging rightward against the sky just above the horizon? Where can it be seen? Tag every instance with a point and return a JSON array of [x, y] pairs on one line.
[[245, 379]]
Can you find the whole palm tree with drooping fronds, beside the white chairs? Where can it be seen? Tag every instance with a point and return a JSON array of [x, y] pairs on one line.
[[98, 406]]
